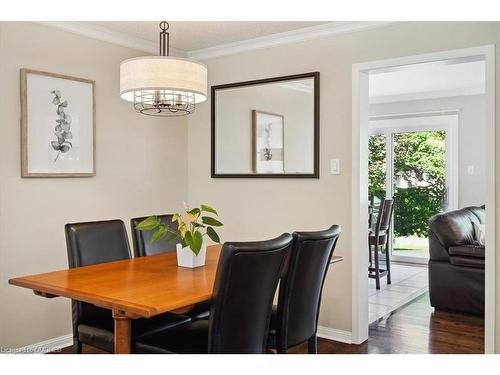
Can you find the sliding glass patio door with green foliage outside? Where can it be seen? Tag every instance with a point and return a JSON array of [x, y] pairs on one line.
[[412, 160]]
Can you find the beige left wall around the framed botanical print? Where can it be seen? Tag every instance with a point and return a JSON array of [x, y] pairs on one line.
[[141, 169]]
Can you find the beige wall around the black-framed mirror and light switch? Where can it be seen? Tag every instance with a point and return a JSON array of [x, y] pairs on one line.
[[258, 208]]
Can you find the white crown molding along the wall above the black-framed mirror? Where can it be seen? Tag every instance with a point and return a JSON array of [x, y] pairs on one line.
[[300, 35]]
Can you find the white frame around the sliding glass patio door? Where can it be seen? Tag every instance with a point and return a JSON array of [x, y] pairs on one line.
[[447, 121]]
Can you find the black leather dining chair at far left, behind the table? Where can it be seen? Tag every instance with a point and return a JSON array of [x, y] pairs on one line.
[[100, 242]]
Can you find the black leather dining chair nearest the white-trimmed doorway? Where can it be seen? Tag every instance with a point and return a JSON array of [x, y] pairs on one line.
[[295, 318]]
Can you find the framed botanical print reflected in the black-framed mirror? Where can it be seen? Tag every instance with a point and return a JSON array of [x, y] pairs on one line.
[[268, 142]]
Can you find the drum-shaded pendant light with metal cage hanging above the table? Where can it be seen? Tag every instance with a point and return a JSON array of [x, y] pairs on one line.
[[163, 85]]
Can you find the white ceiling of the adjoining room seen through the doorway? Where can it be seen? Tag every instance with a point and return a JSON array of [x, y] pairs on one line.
[[428, 80]]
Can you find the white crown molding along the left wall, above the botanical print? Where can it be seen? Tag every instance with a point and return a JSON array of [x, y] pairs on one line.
[[110, 36]]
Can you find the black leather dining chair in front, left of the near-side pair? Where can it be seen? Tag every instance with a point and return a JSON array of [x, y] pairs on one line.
[[247, 276]]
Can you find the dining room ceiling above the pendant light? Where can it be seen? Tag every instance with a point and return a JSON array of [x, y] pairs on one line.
[[190, 35]]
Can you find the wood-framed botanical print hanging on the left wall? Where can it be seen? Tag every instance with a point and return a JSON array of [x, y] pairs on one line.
[[57, 125]]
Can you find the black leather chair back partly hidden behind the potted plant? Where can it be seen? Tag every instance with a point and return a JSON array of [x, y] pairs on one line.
[[142, 239]]
